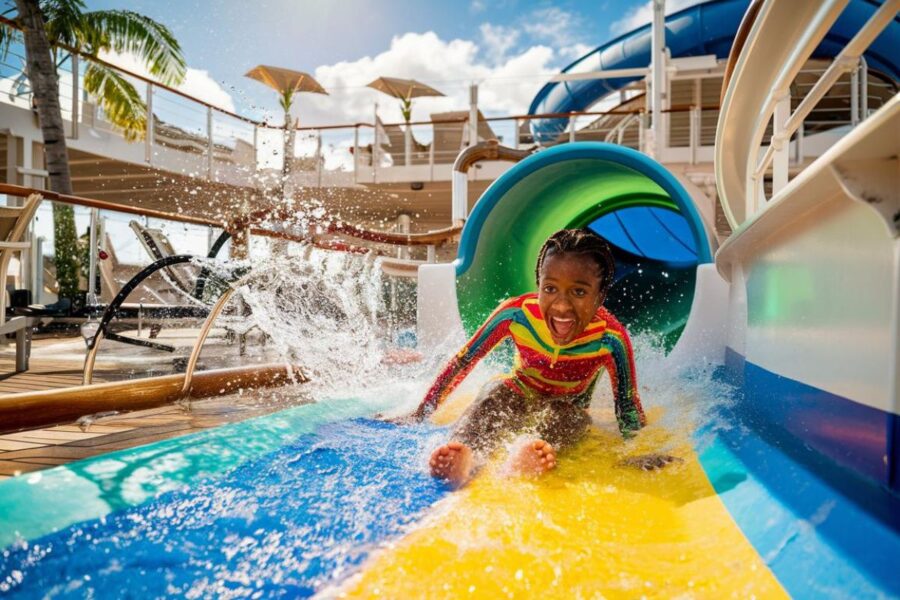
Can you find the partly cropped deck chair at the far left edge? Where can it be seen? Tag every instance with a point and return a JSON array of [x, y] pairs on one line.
[[14, 221]]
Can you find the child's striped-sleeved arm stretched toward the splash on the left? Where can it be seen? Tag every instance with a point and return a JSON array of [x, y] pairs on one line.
[[491, 333]]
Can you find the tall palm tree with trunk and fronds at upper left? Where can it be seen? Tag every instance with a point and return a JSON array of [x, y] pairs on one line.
[[48, 25]]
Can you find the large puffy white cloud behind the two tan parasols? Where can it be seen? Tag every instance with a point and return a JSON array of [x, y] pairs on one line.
[[507, 87]]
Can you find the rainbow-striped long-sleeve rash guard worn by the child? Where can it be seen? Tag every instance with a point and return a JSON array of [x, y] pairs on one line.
[[543, 368]]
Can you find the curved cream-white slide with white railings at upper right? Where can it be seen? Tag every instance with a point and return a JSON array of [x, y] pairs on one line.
[[781, 40]]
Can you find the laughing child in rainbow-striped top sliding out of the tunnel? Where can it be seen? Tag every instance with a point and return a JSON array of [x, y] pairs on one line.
[[564, 340]]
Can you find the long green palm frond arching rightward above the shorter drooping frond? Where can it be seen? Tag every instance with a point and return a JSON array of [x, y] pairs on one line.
[[128, 31]]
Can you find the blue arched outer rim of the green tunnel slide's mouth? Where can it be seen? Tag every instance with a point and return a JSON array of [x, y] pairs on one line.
[[604, 151]]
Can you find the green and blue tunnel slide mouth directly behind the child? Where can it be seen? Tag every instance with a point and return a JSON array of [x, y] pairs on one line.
[[657, 234]]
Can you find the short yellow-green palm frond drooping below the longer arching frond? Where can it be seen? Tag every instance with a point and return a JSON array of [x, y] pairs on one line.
[[119, 100]]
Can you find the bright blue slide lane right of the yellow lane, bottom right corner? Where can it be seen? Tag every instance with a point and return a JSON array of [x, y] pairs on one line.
[[820, 541]]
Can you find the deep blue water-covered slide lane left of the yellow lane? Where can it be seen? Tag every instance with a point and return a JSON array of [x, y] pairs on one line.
[[285, 524]]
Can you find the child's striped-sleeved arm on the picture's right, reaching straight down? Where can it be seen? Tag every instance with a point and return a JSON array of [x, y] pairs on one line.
[[620, 365]]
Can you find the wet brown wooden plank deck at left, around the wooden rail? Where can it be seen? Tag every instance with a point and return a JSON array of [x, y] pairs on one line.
[[57, 362]]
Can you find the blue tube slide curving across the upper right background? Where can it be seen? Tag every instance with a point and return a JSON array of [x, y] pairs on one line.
[[699, 30]]
